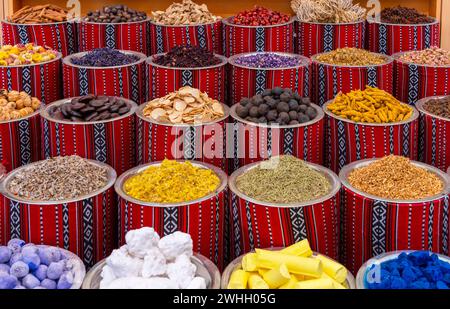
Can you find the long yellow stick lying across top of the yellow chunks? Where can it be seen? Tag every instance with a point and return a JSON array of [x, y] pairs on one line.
[[295, 264]]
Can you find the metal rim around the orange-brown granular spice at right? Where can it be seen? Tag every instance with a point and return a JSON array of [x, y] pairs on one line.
[[346, 170]]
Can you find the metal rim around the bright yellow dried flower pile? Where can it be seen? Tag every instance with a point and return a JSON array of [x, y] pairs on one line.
[[118, 186]]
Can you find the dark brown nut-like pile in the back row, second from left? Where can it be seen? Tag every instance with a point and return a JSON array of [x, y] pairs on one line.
[[115, 14]]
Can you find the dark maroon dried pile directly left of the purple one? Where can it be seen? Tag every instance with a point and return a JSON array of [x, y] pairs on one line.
[[187, 57]]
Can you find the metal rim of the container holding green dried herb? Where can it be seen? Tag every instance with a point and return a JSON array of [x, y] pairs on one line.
[[329, 174]]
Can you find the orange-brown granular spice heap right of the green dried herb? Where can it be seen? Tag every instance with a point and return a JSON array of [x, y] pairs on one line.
[[396, 178]]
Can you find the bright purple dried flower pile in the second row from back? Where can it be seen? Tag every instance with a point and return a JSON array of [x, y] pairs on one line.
[[268, 60]]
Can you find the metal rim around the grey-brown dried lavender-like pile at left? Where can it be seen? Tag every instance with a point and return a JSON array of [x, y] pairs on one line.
[[112, 176]]
